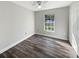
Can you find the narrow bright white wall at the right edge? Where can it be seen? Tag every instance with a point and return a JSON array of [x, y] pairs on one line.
[[74, 25]]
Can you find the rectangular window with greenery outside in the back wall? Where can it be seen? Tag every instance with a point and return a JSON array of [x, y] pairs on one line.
[[49, 23]]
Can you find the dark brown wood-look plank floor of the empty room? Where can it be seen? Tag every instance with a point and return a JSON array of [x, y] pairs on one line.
[[39, 46]]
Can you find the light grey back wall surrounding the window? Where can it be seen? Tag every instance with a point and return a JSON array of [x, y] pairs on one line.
[[61, 22]]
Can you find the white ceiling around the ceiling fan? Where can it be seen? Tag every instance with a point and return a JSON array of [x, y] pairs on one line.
[[49, 5]]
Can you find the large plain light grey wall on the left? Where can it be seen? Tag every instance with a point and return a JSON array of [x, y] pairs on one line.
[[14, 22]]
